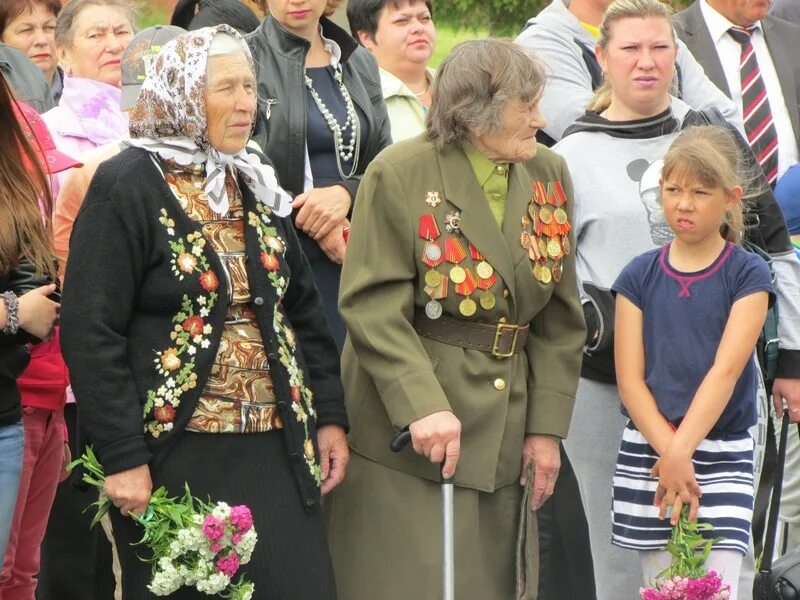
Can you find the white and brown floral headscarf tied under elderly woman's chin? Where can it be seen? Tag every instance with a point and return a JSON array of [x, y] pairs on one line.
[[169, 119]]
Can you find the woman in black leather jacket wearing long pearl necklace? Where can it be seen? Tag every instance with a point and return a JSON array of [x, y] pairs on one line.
[[321, 120]]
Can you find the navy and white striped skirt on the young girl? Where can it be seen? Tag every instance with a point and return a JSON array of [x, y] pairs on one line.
[[723, 466]]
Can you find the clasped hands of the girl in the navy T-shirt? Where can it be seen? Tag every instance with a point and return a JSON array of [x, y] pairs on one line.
[[677, 486]]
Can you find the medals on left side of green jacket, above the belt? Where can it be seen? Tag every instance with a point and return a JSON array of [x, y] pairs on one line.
[[465, 281]]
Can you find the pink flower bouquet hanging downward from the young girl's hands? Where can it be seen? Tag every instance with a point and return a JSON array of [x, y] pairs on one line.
[[687, 578]]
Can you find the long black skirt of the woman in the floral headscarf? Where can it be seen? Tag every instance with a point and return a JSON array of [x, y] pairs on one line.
[[291, 560]]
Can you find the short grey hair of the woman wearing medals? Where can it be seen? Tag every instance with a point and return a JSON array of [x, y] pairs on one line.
[[474, 83]]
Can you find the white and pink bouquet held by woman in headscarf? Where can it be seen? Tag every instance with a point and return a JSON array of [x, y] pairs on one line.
[[191, 542]]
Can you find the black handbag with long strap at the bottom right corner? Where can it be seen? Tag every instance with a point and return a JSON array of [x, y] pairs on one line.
[[779, 580]]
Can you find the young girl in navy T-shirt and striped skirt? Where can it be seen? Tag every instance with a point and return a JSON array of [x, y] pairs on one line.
[[688, 316]]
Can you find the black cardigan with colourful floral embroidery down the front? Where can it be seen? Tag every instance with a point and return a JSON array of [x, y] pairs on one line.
[[143, 315]]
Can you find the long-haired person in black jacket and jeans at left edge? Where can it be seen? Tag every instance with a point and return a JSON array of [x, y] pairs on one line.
[[25, 311]]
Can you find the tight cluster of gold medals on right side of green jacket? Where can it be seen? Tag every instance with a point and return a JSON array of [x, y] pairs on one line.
[[545, 232]]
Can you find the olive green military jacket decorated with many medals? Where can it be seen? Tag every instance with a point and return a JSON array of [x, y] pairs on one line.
[[392, 375]]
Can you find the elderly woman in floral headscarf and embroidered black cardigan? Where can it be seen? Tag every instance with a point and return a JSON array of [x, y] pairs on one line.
[[197, 345]]
